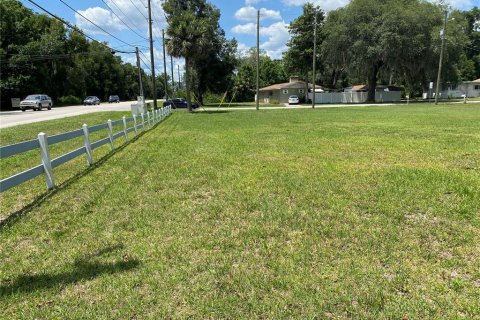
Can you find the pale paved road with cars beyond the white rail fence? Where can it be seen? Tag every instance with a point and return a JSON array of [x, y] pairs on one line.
[[14, 118]]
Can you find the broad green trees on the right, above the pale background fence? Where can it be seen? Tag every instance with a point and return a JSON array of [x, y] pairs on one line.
[[385, 42]]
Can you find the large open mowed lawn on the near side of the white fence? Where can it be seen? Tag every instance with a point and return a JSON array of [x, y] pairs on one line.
[[348, 213]]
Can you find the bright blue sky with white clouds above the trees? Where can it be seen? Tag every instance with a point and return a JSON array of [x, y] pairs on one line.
[[237, 19]]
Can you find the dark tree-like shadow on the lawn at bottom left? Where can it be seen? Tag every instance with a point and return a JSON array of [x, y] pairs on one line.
[[82, 270]]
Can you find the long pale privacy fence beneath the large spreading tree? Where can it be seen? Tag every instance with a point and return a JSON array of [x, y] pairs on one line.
[[355, 97]]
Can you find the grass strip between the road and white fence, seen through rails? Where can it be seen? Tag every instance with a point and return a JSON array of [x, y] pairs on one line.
[[18, 197]]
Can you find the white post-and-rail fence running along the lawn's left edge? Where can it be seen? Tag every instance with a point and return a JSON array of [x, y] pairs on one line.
[[136, 124]]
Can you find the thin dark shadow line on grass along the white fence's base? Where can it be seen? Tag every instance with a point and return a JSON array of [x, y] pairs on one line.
[[36, 202]]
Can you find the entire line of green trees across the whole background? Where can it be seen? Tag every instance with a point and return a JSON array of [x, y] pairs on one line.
[[366, 42]]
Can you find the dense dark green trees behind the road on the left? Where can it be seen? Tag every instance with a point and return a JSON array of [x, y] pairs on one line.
[[38, 54]]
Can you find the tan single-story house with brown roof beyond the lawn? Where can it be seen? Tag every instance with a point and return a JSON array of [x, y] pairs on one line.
[[281, 91]]
